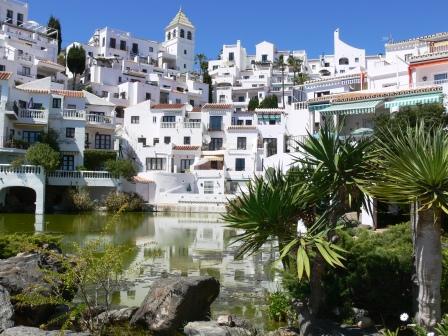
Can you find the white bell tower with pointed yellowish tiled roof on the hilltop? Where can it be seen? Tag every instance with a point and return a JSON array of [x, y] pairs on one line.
[[180, 41]]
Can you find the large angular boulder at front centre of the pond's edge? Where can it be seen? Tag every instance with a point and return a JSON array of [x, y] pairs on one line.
[[174, 301]]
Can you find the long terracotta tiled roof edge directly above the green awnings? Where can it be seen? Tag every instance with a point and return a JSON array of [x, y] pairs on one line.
[[363, 95]]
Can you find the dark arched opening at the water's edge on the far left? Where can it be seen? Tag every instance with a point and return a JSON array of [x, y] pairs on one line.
[[18, 199]]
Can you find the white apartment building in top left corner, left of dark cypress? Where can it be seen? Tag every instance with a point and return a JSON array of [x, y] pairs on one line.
[[27, 49]]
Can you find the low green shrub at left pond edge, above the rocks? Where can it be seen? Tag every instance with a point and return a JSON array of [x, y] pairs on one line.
[[12, 244]]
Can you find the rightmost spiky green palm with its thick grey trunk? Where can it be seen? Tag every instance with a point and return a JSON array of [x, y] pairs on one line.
[[410, 166]]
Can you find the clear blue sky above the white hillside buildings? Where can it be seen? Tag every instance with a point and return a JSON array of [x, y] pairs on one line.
[[290, 24]]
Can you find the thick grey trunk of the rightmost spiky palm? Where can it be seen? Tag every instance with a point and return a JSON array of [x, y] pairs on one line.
[[428, 266]]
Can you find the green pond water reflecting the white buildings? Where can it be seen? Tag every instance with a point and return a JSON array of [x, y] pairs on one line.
[[197, 244]]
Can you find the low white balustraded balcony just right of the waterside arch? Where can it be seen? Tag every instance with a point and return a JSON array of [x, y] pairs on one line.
[[82, 178]]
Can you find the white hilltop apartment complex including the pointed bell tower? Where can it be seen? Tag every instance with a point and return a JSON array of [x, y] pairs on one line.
[[127, 70]]
